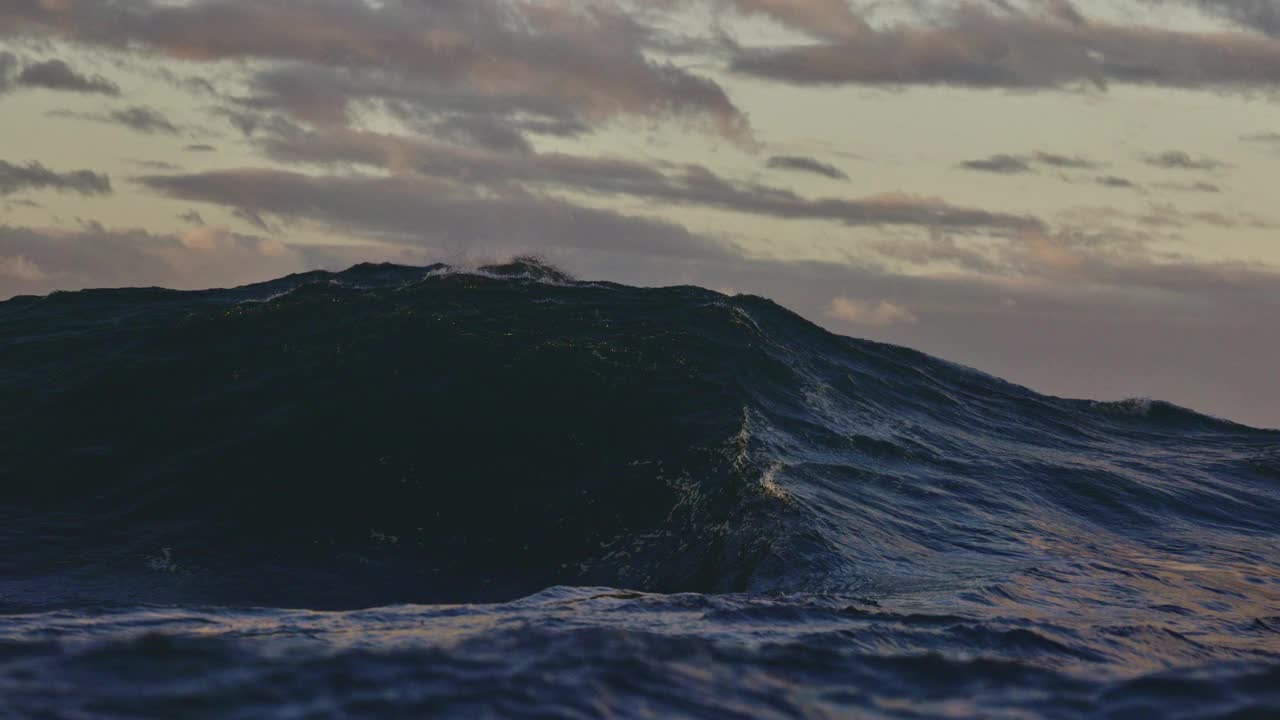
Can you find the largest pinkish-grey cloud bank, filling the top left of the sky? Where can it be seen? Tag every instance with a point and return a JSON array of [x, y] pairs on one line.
[[588, 60]]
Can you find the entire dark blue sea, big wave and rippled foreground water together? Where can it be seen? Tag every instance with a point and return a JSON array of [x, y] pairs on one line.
[[410, 493]]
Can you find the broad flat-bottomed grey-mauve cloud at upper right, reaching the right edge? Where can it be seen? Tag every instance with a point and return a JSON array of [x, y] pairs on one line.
[[1007, 45]]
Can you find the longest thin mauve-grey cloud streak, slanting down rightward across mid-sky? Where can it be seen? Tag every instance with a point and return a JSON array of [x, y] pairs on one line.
[[693, 185]]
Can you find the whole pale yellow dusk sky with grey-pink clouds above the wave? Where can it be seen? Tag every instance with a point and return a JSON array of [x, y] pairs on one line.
[[1073, 195]]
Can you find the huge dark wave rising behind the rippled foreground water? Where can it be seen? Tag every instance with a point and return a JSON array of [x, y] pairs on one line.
[[412, 435]]
